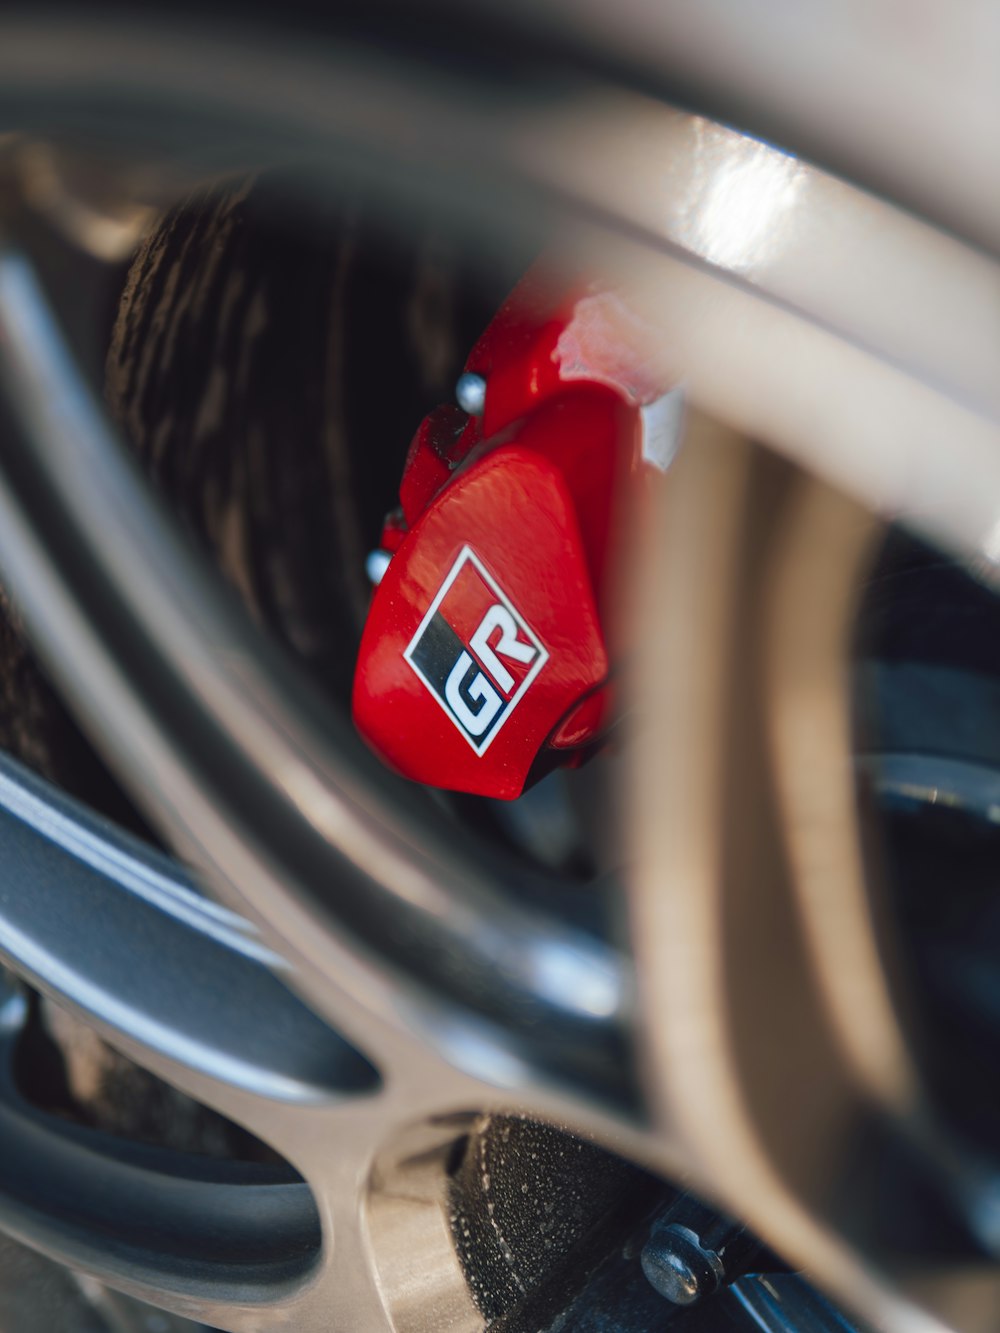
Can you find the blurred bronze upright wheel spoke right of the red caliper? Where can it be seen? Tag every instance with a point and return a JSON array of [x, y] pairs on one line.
[[778, 1054]]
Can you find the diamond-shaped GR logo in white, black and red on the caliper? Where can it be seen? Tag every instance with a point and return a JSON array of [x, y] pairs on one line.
[[475, 653]]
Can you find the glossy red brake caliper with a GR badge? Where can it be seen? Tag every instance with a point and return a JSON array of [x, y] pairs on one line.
[[486, 659]]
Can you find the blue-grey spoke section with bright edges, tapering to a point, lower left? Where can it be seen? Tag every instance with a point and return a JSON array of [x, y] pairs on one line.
[[115, 931]]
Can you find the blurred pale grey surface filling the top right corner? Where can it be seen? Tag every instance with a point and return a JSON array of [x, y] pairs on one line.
[[899, 99]]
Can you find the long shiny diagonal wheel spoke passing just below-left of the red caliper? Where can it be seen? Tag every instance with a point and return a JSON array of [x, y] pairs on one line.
[[275, 799]]
